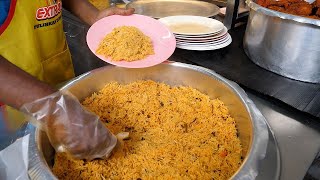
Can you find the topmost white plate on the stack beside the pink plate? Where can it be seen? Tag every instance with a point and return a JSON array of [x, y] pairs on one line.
[[192, 25]]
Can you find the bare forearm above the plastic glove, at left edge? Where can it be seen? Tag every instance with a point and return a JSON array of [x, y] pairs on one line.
[[18, 87]]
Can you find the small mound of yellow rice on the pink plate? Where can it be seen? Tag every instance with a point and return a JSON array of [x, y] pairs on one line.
[[126, 43]]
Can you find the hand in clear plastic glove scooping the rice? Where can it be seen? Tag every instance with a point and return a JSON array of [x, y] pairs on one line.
[[70, 127]]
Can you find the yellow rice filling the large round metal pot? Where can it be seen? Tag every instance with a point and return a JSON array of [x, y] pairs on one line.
[[175, 133]]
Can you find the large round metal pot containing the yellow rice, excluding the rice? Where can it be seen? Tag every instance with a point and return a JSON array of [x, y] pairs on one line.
[[253, 131]]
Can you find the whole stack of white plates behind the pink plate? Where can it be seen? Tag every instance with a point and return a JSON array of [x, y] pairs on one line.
[[198, 33]]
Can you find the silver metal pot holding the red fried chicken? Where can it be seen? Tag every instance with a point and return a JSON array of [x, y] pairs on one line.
[[282, 43]]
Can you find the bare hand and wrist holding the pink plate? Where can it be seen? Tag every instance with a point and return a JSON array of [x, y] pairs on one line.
[[90, 14]]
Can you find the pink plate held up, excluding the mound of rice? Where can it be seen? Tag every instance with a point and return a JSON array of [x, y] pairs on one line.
[[164, 42]]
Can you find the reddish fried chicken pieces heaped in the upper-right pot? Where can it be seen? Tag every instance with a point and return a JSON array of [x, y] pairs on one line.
[[295, 7]]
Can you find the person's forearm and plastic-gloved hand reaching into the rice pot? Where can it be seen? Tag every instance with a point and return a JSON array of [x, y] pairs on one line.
[[69, 127]]
